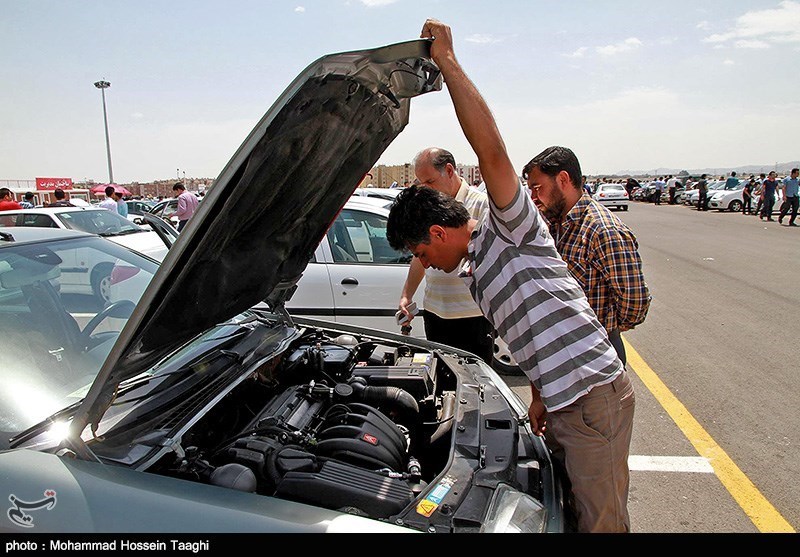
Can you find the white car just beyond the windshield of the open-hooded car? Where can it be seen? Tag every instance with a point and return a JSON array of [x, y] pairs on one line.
[[87, 275]]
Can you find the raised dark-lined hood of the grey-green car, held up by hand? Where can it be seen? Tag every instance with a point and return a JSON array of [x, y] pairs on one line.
[[257, 228]]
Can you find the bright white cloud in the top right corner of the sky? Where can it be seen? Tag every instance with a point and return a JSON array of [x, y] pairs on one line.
[[777, 25]]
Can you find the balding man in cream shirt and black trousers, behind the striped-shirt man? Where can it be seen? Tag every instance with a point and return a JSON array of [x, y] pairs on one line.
[[451, 315]]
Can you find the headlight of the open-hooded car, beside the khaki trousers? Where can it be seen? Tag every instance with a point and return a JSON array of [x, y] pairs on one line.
[[512, 511]]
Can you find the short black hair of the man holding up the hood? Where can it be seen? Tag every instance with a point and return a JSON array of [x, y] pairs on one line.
[[415, 210]]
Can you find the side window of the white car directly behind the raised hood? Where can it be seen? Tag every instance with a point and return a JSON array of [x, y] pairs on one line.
[[360, 237]]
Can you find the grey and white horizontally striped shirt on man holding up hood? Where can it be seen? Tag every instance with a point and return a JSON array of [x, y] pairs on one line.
[[538, 308]]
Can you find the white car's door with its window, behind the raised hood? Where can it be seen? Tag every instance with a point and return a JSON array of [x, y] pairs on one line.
[[364, 275]]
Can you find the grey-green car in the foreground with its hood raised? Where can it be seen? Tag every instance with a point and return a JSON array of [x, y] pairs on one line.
[[211, 408]]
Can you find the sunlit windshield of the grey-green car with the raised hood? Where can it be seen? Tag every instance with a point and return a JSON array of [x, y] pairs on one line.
[[63, 304]]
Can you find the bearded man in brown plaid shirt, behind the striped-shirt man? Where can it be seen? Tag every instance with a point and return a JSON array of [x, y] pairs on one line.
[[600, 250]]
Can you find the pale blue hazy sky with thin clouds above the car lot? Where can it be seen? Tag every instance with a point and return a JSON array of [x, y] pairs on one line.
[[628, 85]]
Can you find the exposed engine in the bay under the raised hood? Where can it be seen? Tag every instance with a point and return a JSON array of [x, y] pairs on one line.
[[352, 425]]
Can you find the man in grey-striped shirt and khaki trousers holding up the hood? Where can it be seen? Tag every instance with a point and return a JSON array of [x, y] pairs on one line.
[[582, 397]]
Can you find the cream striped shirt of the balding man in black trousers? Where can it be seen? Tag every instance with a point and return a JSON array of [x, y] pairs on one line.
[[445, 293]]
